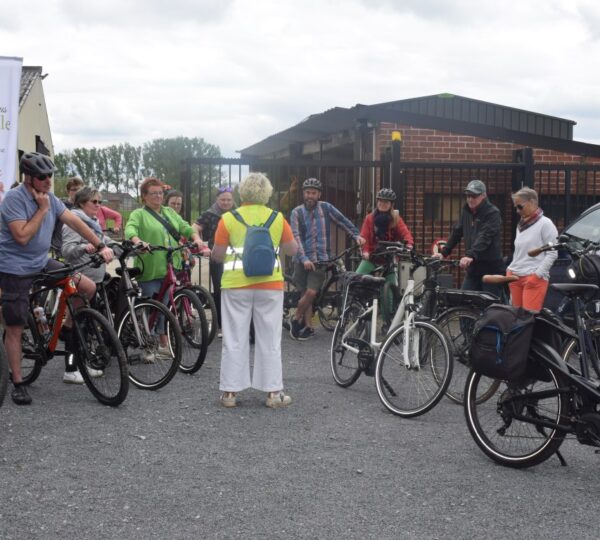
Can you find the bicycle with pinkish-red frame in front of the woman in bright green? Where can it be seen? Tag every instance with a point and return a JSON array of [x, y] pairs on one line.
[[188, 309]]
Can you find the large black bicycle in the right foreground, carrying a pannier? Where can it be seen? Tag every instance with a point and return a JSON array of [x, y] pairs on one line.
[[527, 420]]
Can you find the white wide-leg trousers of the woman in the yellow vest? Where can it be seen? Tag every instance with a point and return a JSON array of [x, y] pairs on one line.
[[238, 308]]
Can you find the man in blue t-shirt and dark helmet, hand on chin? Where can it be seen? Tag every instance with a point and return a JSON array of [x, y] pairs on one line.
[[27, 218]]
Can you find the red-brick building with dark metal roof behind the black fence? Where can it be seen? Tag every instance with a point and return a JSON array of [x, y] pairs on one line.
[[445, 141]]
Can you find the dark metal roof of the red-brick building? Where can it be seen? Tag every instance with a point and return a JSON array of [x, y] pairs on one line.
[[445, 112]]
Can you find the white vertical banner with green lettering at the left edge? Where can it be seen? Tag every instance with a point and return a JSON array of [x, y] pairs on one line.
[[10, 82]]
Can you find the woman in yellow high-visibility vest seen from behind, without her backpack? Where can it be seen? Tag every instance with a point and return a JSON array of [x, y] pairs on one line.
[[245, 299]]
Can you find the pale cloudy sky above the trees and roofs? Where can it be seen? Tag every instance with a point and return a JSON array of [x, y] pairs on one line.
[[237, 71]]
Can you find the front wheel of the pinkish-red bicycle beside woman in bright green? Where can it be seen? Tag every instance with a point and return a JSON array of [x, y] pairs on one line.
[[189, 311]]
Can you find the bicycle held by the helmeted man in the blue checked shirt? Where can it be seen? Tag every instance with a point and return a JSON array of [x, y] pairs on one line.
[[327, 301]]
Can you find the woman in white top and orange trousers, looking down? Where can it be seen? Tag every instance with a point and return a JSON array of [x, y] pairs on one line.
[[534, 230]]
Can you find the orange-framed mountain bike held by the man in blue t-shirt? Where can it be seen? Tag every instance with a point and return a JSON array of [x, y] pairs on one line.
[[99, 356]]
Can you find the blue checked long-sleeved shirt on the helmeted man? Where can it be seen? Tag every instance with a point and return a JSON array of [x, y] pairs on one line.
[[311, 229]]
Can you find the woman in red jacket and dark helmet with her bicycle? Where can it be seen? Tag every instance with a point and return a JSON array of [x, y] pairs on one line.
[[383, 224]]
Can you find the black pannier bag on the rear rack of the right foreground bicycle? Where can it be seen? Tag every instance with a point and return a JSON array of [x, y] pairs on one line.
[[500, 344]]
